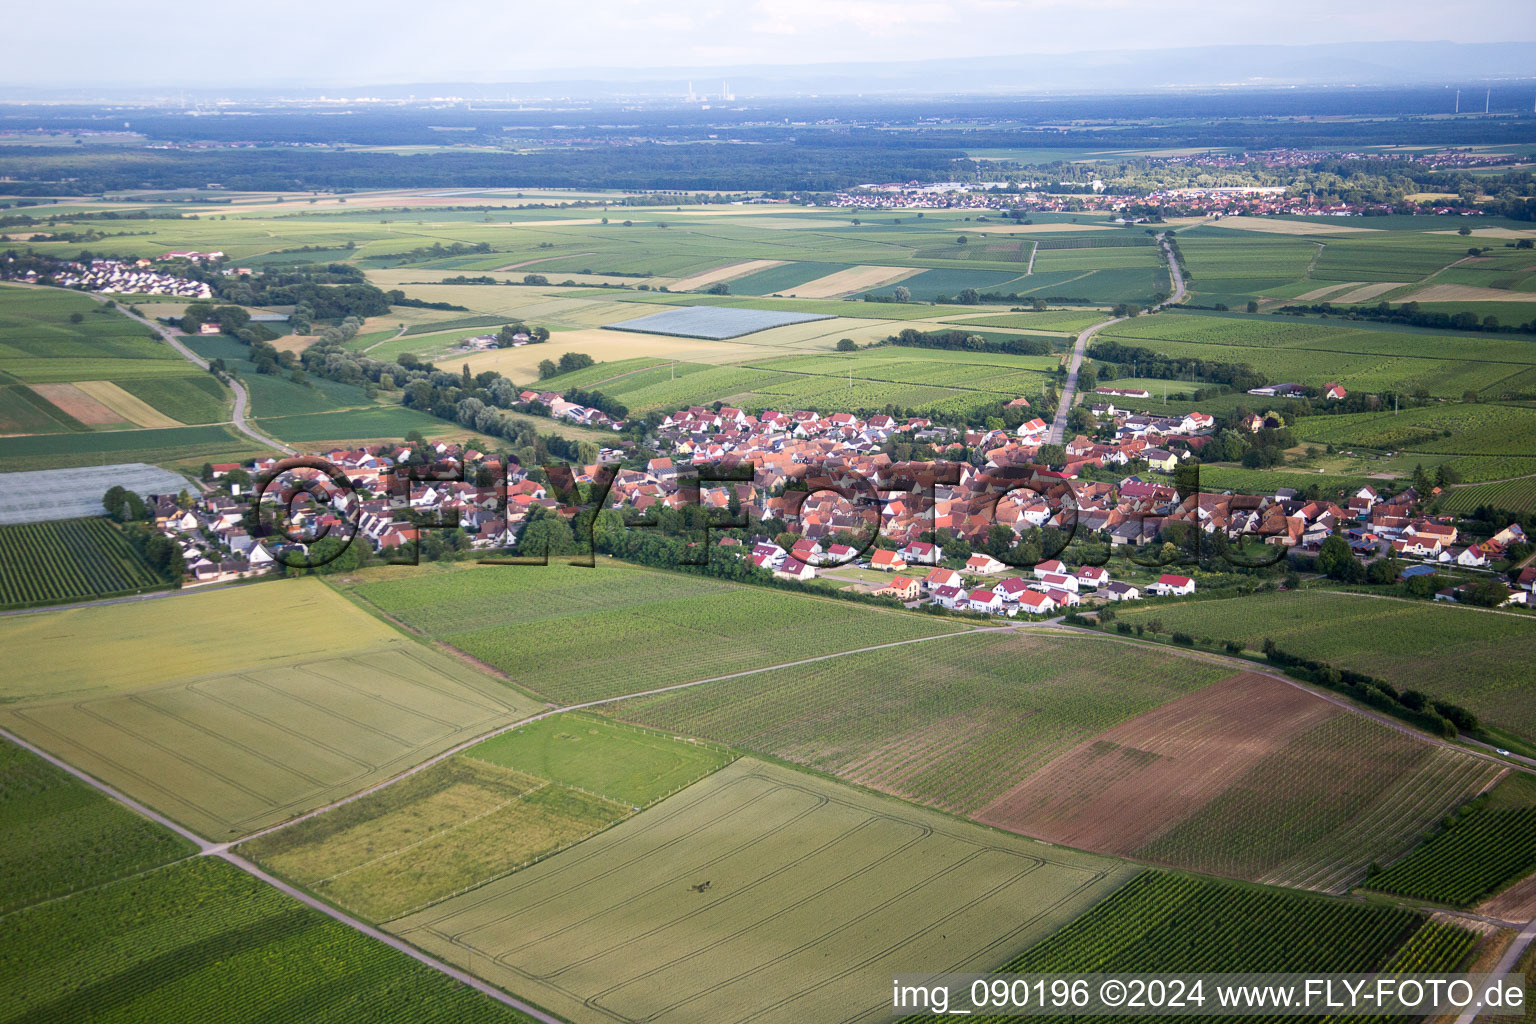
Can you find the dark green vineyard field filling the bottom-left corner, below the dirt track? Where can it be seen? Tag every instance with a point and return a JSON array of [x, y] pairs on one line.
[[205, 942]]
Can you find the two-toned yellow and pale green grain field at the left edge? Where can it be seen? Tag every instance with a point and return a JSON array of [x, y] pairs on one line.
[[236, 710]]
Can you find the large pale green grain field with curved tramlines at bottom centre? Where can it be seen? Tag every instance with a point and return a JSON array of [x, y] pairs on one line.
[[812, 897]]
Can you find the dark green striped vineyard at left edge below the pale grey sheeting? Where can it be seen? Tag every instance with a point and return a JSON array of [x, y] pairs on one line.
[[70, 560]]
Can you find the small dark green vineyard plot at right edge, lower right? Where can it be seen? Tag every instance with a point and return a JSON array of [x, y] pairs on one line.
[[1469, 860]]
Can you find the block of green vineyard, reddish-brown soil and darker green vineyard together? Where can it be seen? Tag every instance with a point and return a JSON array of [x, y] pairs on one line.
[[1031, 738]]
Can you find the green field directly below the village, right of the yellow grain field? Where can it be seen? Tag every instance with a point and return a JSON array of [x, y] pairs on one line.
[[640, 629]]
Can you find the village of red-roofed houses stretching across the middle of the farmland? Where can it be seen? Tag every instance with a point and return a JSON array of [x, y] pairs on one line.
[[827, 503]]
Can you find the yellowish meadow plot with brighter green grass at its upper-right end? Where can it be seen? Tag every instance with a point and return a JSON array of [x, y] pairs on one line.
[[492, 810]]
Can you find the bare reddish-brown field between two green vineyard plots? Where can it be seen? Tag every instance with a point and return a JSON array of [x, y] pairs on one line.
[[1136, 782]]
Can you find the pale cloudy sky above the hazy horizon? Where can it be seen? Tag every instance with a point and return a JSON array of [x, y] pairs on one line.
[[362, 42]]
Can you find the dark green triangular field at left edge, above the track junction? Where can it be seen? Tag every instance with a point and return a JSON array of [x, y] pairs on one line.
[[59, 836]]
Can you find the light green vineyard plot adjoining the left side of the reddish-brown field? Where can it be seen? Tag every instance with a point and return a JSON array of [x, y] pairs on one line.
[[953, 727]]
